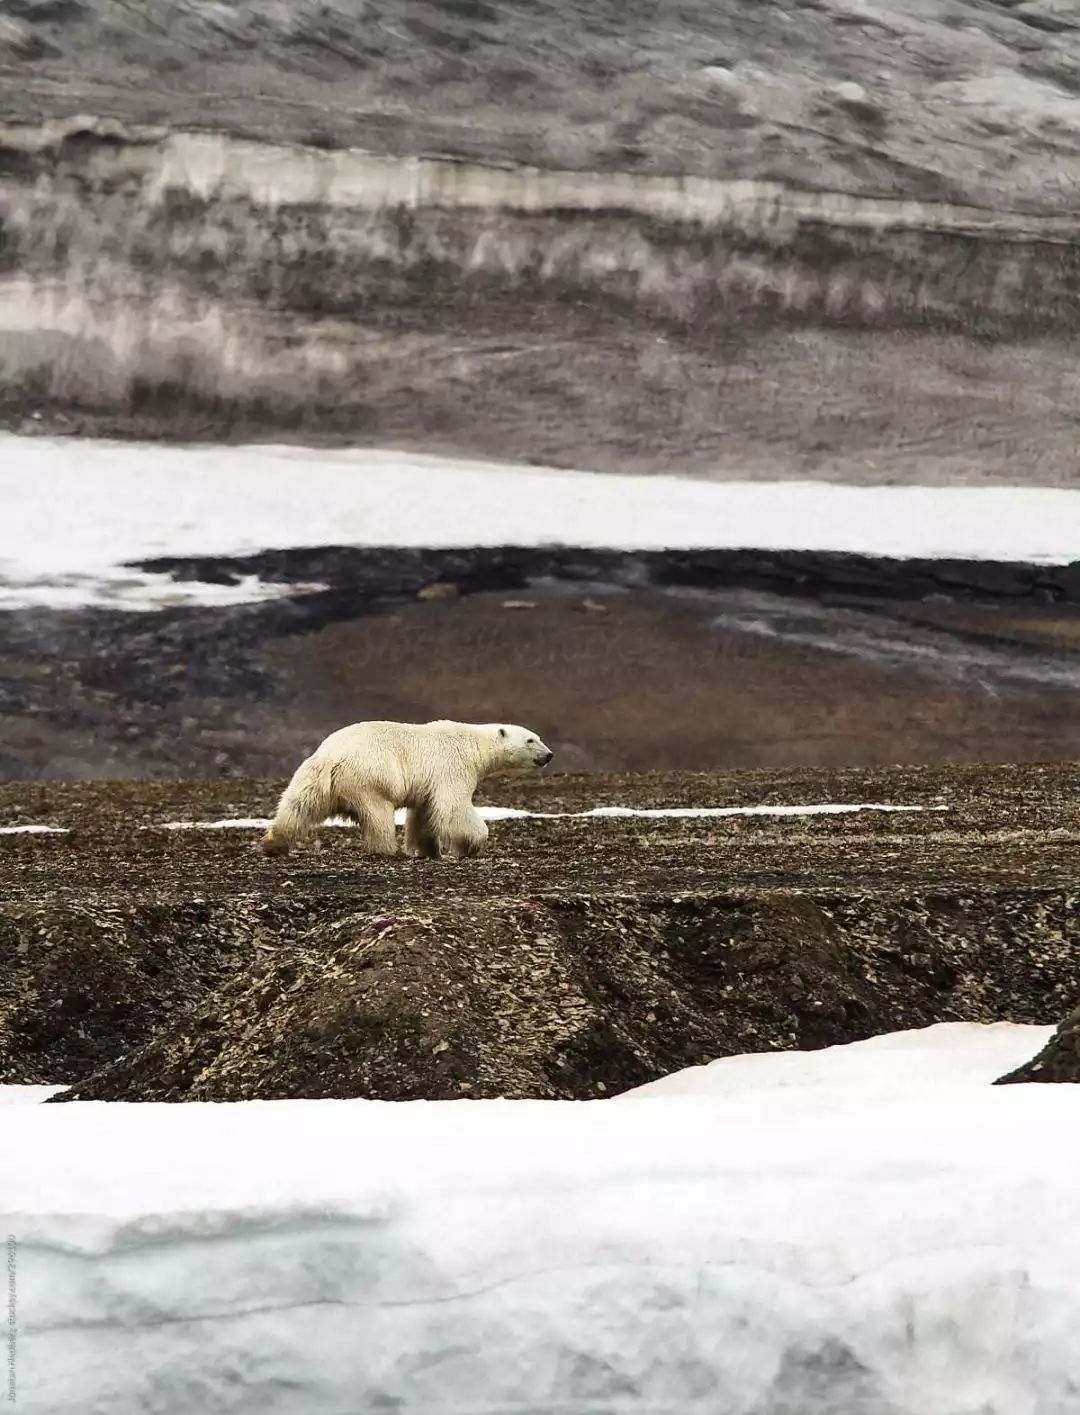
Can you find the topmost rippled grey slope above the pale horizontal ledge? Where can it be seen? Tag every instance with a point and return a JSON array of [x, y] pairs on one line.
[[936, 100]]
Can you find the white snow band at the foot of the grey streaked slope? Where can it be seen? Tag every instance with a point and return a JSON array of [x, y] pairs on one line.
[[127, 503]]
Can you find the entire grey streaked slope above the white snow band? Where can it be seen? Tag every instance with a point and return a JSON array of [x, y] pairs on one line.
[[820, 238]]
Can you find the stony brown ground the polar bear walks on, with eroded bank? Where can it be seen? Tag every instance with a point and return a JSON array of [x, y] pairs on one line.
[[580, 957]]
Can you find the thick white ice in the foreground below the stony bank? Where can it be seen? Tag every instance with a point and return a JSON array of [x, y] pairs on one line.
[[868, 1232]]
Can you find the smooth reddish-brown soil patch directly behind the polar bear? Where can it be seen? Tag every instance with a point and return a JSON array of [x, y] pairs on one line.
[[649, 681]]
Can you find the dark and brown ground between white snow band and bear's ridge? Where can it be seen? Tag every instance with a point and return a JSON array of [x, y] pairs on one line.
[[624, 662]]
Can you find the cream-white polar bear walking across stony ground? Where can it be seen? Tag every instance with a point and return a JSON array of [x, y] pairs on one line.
[[432, 769]]
